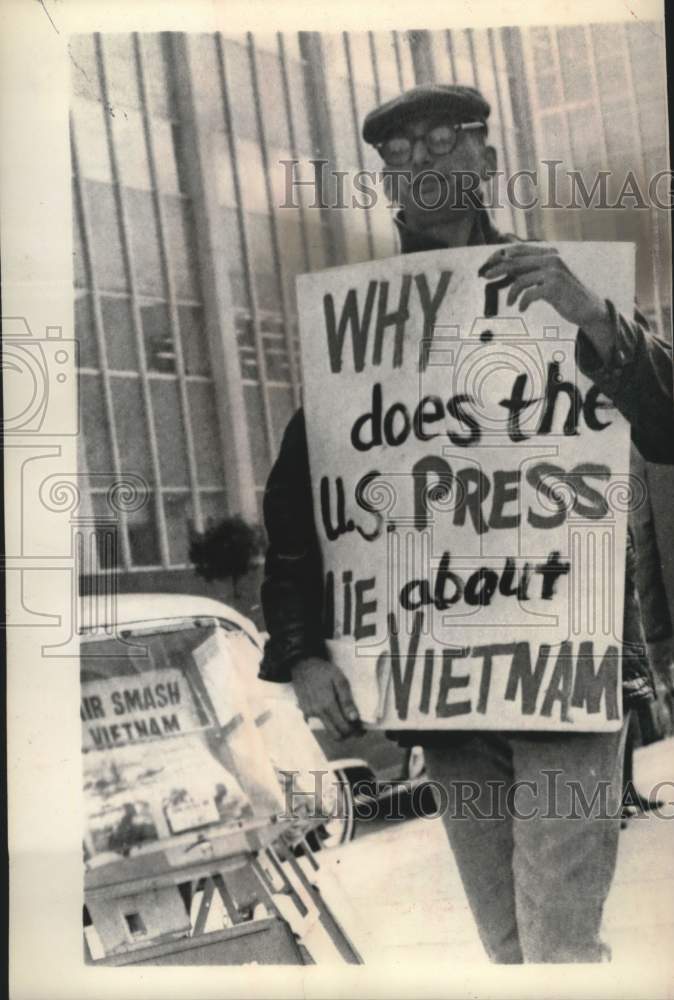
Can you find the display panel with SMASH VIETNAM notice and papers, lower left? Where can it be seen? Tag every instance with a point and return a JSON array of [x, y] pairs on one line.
[[168, 738]]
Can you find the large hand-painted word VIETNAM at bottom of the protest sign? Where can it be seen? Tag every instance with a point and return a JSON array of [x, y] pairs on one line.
[[540, 681]]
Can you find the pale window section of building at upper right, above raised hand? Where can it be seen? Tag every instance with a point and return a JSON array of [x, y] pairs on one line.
[[596, 107]]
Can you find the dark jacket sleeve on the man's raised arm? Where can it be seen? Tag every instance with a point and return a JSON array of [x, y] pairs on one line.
[[637, 378]]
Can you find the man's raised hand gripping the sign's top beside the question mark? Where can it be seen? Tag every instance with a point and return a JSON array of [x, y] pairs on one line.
[[538, 272]]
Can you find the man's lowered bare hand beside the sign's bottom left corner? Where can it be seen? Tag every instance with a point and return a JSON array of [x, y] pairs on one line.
[[324, 693]]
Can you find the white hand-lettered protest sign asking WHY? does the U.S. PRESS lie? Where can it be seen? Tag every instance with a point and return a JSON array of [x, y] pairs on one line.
[[471, 490]]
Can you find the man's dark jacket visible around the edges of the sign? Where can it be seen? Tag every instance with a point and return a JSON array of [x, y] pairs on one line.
[[638, 379]]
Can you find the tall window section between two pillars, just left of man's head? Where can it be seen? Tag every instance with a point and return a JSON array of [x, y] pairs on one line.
[[265, 128]]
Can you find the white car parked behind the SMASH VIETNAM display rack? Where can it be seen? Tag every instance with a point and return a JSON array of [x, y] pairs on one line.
[[360, 768]]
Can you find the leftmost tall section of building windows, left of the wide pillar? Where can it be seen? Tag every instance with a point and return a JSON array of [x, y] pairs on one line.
[[146, 385]]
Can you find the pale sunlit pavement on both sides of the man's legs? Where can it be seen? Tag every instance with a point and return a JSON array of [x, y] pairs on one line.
[[404, 885]]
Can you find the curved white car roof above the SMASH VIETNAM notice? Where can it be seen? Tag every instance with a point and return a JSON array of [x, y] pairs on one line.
[[131, 609]]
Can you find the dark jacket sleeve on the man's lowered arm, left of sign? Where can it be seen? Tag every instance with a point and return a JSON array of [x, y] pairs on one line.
[[293, 582]]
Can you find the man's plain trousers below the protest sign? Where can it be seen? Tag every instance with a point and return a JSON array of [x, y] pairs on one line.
[[533, 823]]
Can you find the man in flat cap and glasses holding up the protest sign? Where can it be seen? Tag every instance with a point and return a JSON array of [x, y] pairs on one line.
[[536, 887]]
